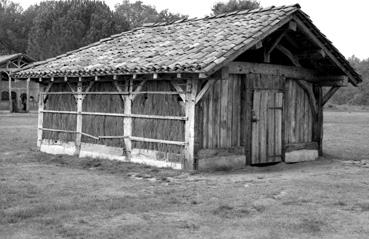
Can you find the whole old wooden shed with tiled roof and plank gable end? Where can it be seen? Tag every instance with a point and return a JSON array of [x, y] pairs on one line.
[[243, 88]]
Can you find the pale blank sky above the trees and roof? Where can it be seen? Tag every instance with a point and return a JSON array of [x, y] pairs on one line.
[[345, 23]]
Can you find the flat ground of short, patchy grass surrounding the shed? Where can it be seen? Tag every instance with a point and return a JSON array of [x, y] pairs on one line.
[[44, 196]]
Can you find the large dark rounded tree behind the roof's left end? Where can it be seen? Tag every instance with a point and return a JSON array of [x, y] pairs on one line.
[[61, 26]]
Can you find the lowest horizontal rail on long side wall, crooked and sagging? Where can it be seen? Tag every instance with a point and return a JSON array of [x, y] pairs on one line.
[[133, 138]]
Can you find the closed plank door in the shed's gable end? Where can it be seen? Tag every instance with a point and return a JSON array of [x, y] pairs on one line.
[[266, 141]]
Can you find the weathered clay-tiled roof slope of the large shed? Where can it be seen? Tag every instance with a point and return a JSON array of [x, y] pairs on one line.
[[185, 46]]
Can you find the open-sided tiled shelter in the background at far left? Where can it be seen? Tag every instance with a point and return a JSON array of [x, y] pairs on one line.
[[16, 95]]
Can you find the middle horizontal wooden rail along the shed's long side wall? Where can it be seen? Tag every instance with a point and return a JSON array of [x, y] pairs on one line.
[[160, 117]]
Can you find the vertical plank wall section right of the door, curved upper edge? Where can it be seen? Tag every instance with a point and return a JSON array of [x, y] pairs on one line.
[[298, 115]]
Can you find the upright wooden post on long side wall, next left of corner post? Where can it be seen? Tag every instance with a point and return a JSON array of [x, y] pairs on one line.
[[128, 120]]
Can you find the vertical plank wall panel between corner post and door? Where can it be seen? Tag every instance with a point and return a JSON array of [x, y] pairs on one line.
[[218, 116]]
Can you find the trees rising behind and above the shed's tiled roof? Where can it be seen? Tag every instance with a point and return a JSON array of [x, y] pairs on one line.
[[50, 28]]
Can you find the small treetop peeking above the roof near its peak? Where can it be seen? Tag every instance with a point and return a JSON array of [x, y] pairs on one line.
[[234, 5]]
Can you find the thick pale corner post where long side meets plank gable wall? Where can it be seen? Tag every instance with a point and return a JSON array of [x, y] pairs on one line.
[[191, 92]]
